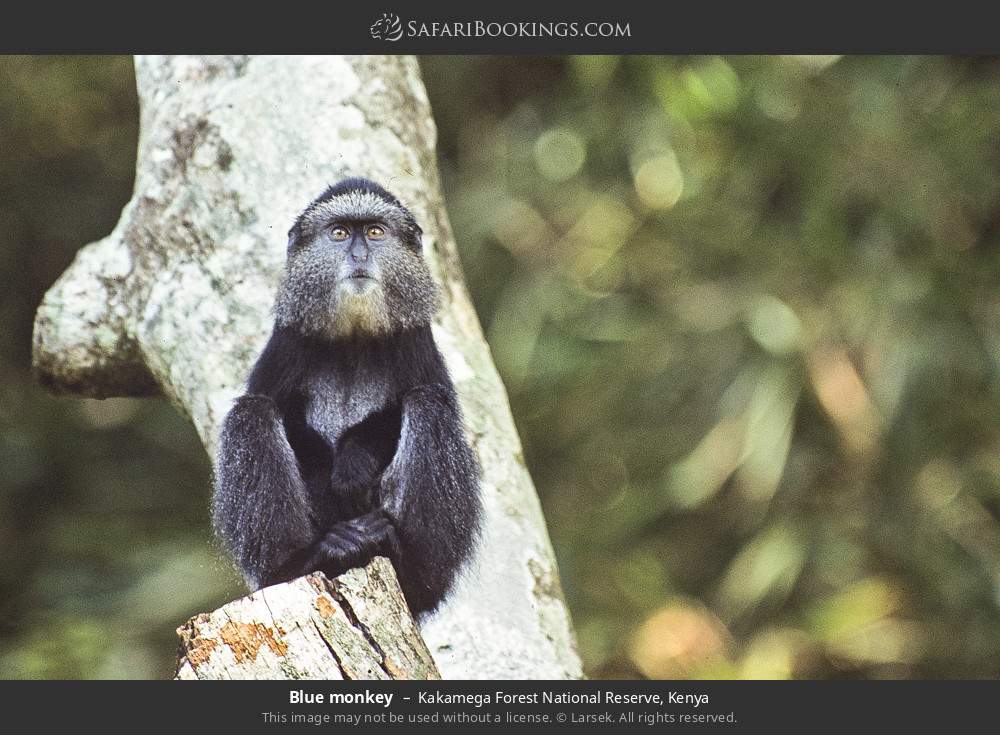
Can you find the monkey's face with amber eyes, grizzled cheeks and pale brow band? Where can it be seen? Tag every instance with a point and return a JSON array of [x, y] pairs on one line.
[[355, 268]]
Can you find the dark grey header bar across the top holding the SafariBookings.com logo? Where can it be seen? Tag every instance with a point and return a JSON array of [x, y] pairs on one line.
[[504, 28]]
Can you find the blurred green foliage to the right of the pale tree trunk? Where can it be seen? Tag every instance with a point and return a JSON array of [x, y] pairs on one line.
[[747, 312]]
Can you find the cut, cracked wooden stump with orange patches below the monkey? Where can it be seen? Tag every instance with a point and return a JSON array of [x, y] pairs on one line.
[[356, 626]]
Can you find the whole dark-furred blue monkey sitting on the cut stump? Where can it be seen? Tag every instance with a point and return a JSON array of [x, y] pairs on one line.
[[348, 442]]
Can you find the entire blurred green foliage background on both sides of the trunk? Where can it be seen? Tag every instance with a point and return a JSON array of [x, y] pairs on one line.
[[746, 309]]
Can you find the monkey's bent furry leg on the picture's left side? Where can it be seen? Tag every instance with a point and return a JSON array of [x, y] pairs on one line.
[[261, 507]]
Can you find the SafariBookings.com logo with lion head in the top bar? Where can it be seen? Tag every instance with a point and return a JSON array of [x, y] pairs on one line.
[[390, 28]]
